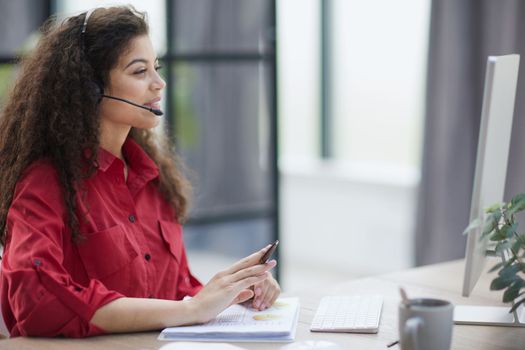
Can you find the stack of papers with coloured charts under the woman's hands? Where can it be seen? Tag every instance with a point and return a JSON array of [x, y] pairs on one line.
[[241, 323]]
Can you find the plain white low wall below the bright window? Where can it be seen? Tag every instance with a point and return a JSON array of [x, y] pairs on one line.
[[353, 221]]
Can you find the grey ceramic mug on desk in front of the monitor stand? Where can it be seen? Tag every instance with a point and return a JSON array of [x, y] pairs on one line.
[[425, 324]]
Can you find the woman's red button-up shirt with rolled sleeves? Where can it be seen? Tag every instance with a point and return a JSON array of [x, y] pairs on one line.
[[133, 247]]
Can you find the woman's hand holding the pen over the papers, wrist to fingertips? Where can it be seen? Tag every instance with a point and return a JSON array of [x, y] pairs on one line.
[[232, 286]]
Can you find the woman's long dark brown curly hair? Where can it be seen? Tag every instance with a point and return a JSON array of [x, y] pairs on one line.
[[52, 111]]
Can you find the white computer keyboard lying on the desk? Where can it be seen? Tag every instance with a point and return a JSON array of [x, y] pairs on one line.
[[348, 314]]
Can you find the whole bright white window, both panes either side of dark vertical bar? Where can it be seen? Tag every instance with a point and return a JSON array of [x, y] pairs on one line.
[[376, 67]]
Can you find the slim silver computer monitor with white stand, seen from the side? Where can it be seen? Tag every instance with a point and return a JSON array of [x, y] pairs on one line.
[[489, 183]]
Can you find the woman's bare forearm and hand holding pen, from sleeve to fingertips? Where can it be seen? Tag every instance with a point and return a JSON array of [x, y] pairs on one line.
[[224, 289]]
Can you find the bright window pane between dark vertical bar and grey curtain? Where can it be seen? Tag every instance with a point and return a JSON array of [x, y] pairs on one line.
[[378, 84]]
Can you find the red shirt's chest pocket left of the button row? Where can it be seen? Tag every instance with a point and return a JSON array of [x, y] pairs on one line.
[[107, 252]]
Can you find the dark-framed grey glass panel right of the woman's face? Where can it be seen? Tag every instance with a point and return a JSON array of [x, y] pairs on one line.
[[222, 61]]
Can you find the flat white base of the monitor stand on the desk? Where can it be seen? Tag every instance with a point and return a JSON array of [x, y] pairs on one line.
[[489, 316]]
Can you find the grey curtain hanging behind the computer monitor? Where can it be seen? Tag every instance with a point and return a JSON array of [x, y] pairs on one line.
[[462, 35]]
